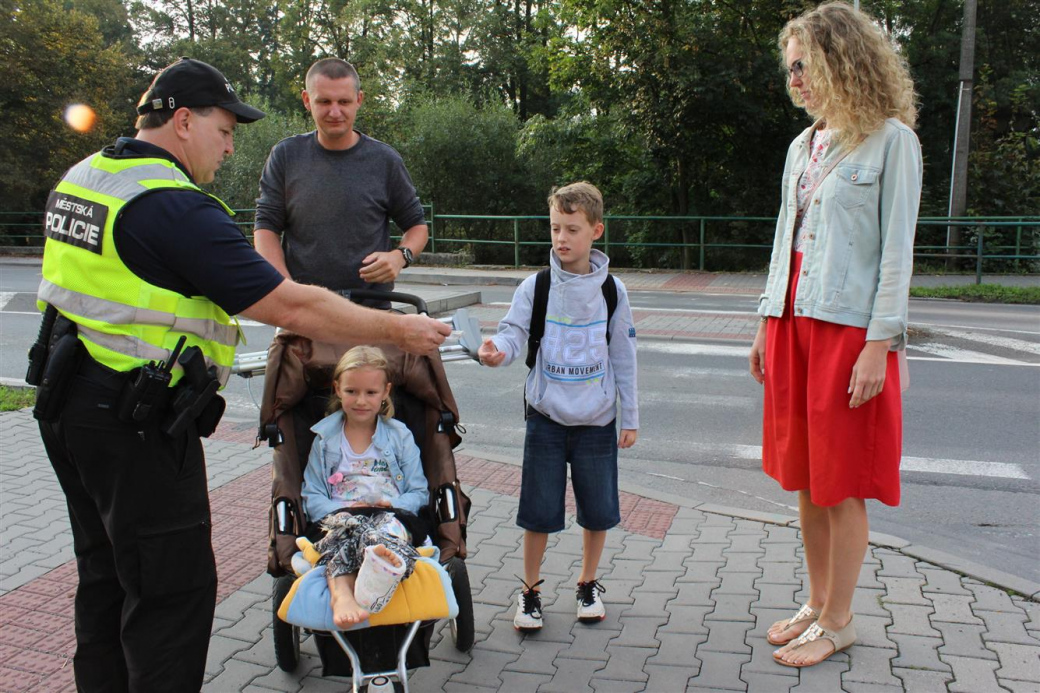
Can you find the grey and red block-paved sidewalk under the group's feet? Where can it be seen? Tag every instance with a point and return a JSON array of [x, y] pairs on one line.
[[691, 592]]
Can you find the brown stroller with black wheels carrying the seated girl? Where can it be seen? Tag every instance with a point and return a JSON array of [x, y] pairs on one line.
[[297, 390]]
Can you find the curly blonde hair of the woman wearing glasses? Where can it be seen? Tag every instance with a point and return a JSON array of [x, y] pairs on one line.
[[856, 76]]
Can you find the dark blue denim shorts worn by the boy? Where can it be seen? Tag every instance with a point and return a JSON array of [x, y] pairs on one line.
[[592, 452]]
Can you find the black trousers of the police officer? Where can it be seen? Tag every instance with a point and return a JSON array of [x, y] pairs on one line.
[[141, 521]]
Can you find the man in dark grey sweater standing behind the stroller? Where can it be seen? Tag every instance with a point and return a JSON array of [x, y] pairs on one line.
[[327, 197]]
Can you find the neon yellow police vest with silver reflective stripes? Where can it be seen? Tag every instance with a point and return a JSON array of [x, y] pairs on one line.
[[124, 321]]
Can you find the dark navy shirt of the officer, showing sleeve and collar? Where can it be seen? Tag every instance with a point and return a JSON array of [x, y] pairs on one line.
[[185, 242]]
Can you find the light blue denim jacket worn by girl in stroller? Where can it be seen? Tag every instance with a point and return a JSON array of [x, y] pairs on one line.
[[395, 445]]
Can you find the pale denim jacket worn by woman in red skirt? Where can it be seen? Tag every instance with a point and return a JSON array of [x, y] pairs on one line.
[[859, 253]]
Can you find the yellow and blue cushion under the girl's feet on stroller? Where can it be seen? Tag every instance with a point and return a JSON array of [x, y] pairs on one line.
[[425, 596]]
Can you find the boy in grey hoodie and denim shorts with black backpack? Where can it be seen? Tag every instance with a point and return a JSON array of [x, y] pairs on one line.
[[585, 362]]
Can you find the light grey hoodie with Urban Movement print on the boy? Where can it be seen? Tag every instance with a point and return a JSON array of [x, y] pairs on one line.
[[577, 380]]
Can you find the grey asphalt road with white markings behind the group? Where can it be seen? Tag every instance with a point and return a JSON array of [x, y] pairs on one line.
[[972, 424]]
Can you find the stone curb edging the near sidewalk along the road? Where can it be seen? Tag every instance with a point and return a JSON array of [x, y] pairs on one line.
[[1026, 588]]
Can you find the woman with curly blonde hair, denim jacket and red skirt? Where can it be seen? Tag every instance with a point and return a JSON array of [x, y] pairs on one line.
[[835, 311]]
